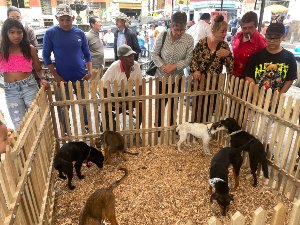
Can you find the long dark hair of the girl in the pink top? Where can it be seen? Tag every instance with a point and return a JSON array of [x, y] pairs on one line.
[[5, 42]]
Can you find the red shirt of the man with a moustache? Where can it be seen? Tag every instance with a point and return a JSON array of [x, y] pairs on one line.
[[243, 50]]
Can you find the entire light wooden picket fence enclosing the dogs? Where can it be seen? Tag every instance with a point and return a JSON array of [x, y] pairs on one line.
[[27, 191]]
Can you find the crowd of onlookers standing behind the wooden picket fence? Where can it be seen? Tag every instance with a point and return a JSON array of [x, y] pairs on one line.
[[177, 47]]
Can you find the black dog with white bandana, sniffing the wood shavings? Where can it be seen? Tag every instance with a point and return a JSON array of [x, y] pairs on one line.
[[219, 175]]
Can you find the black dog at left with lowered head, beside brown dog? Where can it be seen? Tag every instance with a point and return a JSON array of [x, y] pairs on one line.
[[78, 152]]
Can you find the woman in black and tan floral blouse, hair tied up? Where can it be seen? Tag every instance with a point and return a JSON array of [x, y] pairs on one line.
[[211, 53]]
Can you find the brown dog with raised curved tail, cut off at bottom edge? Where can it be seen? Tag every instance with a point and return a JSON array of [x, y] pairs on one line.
[[101, 204]]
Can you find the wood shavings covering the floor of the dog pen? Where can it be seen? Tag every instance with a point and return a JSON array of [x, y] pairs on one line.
[[164, 187]]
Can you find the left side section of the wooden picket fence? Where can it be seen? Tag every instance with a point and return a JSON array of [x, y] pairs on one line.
[[26, 182]]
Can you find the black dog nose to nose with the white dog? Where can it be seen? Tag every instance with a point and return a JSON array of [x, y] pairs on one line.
[[255, 149]]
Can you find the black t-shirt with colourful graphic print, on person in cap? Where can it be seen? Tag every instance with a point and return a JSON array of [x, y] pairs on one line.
[[271, 70]]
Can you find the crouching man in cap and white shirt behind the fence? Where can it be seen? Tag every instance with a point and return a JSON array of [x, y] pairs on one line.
[[123, 69]]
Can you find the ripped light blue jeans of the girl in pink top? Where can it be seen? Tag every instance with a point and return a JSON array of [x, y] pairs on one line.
[[19, 95]]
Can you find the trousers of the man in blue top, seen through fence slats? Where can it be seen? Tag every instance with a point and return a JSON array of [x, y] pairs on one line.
[[68, 98]]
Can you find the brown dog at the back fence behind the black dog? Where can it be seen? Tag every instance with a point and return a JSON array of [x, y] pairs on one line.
[[112, 142]]
